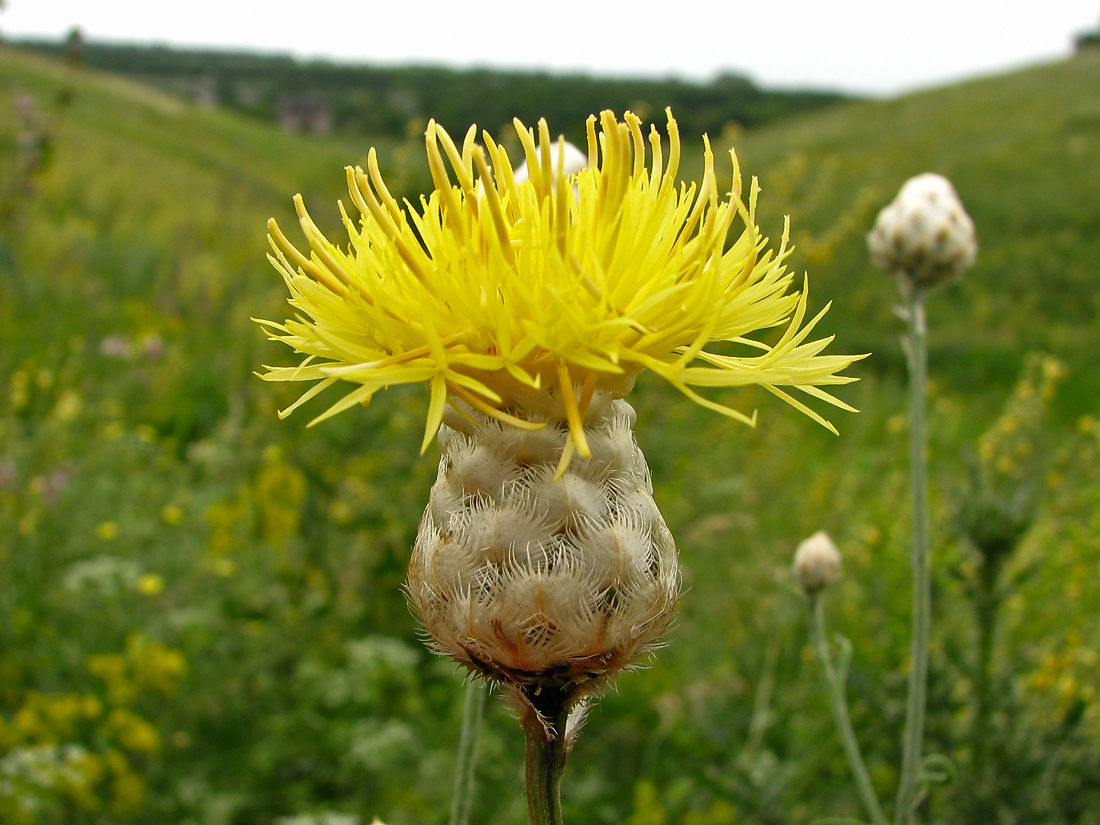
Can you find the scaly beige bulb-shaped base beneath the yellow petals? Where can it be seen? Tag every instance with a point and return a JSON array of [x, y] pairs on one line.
[[538, 582]]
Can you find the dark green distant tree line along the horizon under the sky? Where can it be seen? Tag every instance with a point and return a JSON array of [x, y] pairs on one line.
[[373, 101]]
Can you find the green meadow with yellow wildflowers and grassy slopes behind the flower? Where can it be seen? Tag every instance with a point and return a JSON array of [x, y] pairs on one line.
[[202, 619]]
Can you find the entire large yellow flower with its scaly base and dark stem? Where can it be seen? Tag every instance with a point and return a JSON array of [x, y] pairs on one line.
[[529, 301]]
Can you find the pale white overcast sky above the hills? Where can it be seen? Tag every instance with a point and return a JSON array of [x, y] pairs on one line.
[[879, 48]]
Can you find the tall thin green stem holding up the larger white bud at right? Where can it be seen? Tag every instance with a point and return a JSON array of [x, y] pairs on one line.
[[922, 578]]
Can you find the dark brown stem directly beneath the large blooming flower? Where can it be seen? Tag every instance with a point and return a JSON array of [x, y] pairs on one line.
[[546, 755]]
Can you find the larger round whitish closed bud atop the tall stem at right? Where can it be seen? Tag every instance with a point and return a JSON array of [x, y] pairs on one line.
[[926, 234]]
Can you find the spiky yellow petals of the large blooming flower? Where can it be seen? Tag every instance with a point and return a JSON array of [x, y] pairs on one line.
[[497, 292]]
